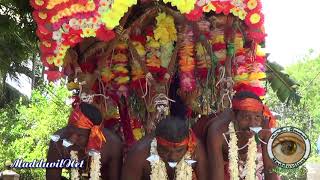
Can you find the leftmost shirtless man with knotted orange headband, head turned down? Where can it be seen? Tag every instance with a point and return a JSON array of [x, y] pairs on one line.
[[84, 139]]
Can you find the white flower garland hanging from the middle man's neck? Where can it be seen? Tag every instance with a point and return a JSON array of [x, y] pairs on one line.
[[159, 170]]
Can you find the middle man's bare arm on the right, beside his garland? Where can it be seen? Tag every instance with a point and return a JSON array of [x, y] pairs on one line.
[[202, 163]]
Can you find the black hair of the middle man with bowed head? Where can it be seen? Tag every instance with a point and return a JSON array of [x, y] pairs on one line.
[[172, 129]]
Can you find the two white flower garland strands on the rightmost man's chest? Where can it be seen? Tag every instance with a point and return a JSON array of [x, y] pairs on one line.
[[250, 167]]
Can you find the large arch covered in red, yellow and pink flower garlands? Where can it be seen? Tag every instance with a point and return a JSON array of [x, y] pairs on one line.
[[199, 50]]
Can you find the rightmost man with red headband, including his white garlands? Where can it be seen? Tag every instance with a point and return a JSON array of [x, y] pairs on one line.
[[230, 135]]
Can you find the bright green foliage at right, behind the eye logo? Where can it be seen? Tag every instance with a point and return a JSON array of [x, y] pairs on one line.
[[306, 115]]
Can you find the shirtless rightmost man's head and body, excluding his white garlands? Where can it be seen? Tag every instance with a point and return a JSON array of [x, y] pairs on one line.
[[248, 111]]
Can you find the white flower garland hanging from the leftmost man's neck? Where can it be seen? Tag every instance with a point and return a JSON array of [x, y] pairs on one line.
[[94, 166]]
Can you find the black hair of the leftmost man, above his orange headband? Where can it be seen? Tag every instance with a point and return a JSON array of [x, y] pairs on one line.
[[92, 112]]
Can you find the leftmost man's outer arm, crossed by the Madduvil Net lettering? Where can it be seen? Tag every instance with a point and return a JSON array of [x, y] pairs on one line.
[[53, 156]]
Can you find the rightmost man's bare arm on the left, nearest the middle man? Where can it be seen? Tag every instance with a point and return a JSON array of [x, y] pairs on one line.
[[215, 157]]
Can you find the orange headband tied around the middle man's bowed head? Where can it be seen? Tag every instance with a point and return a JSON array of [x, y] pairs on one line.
[[190, 141]]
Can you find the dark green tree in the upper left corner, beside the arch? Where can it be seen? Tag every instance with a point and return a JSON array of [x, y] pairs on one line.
[[18, 43]]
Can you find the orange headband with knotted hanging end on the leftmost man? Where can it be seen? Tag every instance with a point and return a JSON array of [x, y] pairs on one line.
[[79, 120]]
